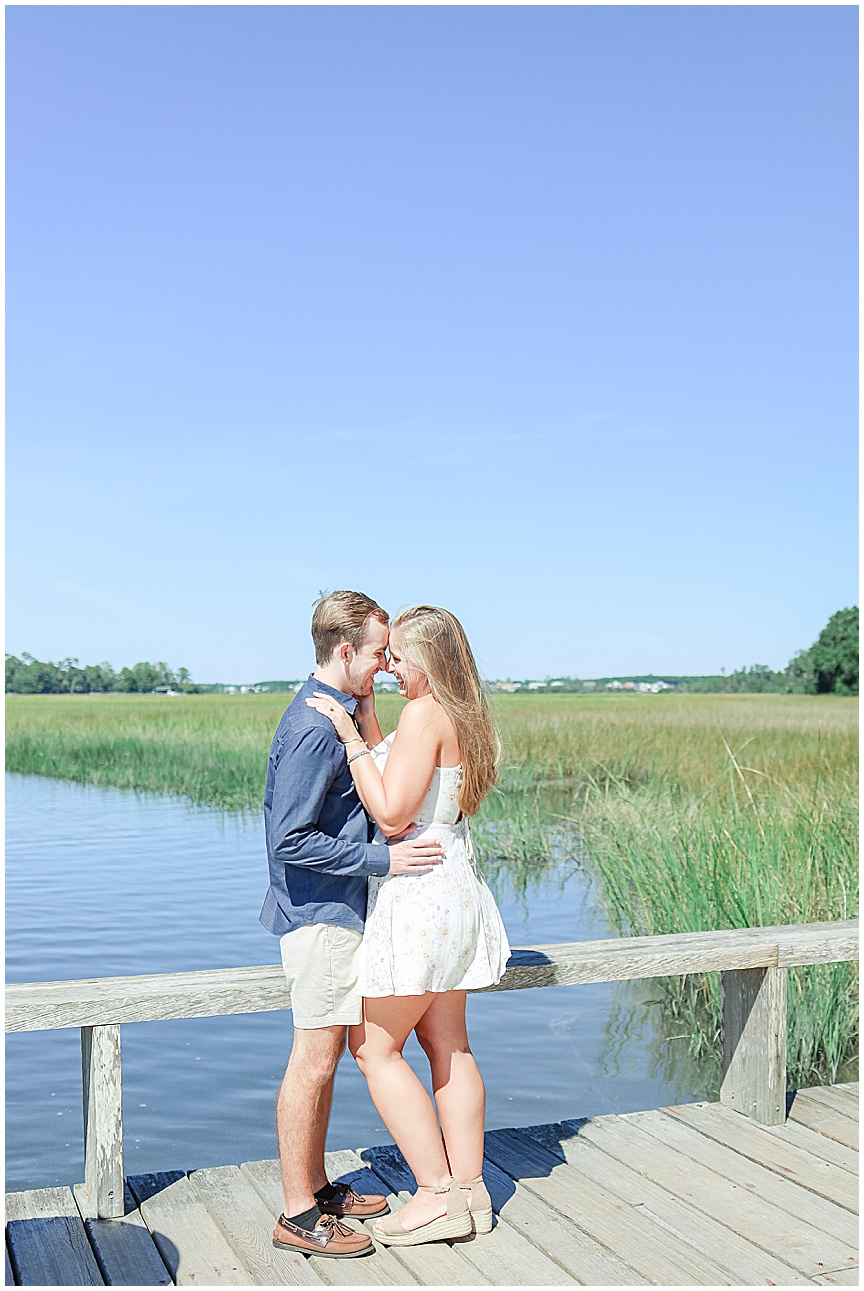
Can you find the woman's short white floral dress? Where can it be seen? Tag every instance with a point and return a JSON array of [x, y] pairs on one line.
[[437, 931]]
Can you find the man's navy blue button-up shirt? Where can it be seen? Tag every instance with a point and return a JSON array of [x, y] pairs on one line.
[[318, 835]]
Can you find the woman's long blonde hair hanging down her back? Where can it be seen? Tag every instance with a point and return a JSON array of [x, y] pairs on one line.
[[435, 642]]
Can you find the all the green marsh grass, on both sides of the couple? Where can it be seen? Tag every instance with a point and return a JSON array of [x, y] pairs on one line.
[[690, 811]]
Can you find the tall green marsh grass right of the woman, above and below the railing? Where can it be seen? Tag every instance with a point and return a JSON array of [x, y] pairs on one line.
[[714, 813]]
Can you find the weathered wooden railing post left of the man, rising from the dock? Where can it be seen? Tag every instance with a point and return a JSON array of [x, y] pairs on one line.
[[103, 1192]]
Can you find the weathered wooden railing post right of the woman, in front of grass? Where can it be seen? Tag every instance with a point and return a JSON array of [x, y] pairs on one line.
[[755, 1044]]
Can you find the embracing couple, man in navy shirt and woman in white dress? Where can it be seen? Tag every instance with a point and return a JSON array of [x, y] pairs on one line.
[[383, 916]]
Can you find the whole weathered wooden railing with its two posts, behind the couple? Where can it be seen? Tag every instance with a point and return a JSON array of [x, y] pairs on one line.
[[752, 964]]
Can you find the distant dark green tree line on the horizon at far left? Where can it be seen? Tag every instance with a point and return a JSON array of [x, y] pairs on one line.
[[29, 676]]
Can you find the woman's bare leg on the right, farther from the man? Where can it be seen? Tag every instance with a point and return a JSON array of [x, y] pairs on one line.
[[460, 1094]]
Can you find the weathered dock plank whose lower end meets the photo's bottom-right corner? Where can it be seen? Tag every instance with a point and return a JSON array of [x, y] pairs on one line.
[[794, 1241]]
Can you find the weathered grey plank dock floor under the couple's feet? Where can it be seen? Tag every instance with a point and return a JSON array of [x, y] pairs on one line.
[[690, 1196]]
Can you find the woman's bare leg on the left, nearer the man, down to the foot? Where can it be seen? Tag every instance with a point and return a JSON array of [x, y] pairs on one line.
[[401, 1101]]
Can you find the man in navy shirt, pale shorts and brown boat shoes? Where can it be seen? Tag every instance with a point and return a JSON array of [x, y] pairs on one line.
[[321, 857]]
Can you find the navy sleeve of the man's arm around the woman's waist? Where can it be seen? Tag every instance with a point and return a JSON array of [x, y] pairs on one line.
[[309, 762]]
